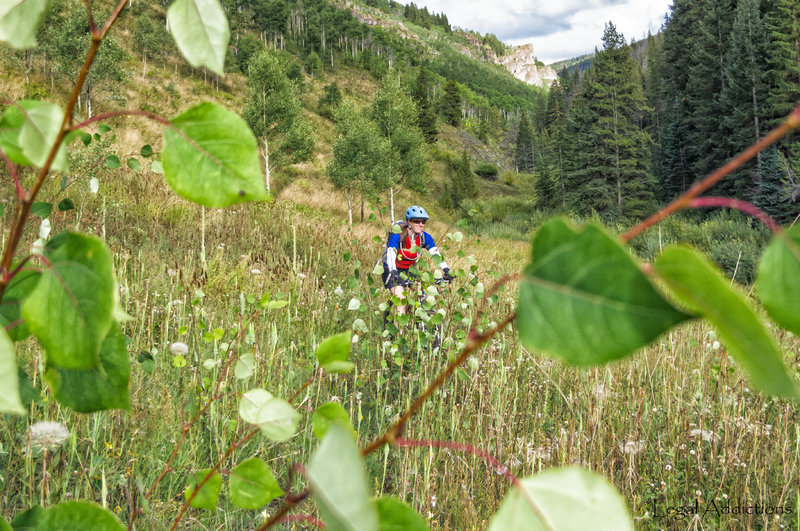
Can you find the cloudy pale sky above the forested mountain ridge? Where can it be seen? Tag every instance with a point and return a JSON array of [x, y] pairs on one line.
[[558, 29]]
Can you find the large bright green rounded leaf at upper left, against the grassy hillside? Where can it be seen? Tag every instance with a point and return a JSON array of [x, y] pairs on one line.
[[212, 158]]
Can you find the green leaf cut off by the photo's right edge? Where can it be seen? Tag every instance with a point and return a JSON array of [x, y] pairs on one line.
[[777, 282]]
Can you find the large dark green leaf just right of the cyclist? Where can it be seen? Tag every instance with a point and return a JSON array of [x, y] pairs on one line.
[[584, 299]]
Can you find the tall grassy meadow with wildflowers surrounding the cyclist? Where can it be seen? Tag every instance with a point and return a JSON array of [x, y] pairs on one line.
[[676, 428]]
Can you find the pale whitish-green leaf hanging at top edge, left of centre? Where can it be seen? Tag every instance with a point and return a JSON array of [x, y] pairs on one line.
[[201, 32]]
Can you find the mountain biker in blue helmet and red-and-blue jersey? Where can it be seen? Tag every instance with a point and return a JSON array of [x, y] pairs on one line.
[[404, 250]]
